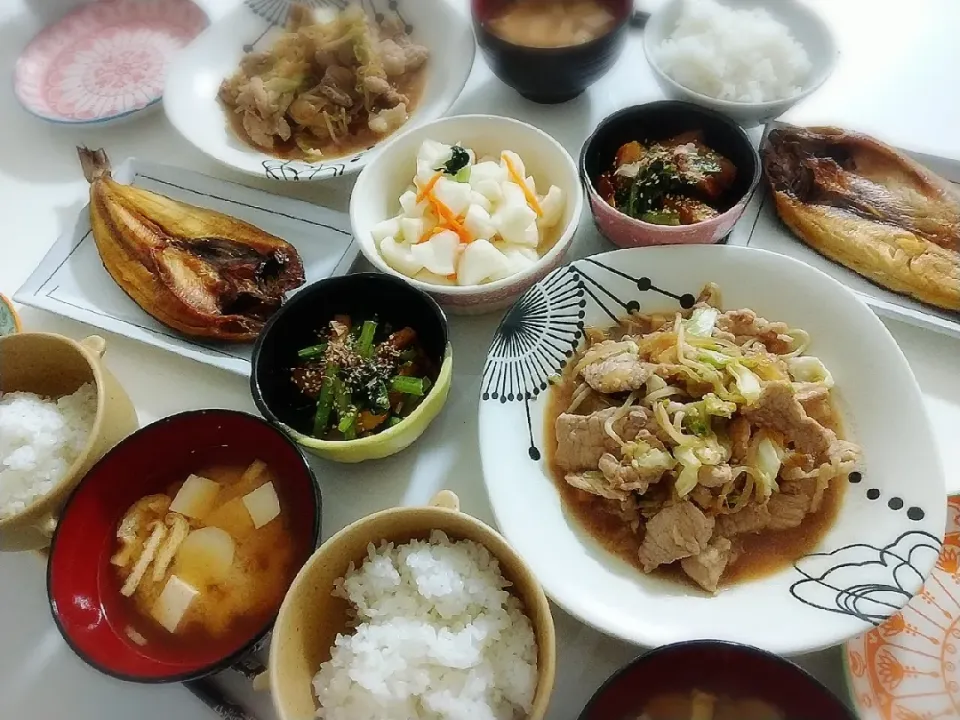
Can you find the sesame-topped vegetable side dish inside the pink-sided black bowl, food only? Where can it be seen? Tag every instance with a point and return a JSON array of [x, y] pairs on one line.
[[680, 181]]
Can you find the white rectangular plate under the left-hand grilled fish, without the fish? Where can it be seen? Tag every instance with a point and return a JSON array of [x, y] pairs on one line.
[[71, 280]]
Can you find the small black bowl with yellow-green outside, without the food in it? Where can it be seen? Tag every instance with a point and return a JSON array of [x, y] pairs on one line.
[[362, 295]]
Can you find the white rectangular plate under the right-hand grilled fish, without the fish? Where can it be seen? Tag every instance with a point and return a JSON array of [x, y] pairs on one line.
[[760, 227]]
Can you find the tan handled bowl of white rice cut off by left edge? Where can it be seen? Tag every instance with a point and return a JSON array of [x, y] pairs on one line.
[[60, 411]]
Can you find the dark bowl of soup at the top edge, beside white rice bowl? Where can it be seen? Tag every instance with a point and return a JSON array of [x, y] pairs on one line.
[[550, 51]]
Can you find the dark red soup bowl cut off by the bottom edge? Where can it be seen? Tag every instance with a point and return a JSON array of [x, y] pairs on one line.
[[713, 680]]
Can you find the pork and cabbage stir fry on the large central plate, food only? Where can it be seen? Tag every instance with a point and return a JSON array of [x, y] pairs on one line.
[[699, 427]]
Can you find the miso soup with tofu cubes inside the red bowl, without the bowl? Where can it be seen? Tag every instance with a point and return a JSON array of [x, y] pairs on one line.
[[205, 565]]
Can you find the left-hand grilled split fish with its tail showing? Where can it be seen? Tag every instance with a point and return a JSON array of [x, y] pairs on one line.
[[197, 271]]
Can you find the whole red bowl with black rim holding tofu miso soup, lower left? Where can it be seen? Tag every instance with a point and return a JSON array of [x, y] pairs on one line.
[[173, 555]]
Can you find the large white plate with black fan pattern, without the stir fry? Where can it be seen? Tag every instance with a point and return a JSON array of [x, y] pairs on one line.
[[890, 526]]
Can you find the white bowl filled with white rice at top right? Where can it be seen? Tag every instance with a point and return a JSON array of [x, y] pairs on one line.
[[750, 59]]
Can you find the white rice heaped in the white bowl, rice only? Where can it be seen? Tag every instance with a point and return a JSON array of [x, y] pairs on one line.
[[738, 55]]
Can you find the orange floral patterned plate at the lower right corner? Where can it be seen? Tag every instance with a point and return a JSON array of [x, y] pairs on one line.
[[908, 667]]
